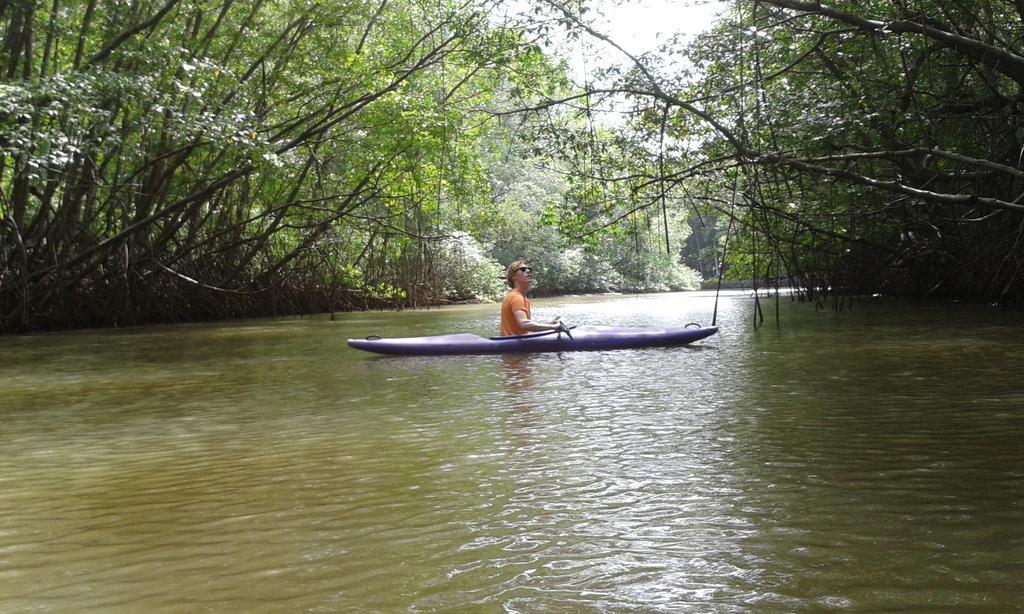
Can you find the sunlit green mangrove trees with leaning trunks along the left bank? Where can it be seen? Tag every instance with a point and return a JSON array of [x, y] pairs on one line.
[[165, 160]]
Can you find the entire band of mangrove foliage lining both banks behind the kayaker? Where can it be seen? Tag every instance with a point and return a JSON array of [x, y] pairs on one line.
[[167, 160]]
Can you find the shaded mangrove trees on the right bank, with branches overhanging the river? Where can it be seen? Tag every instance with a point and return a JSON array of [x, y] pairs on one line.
[[855, 146]]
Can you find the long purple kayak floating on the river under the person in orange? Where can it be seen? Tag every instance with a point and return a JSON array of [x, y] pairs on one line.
[[573, 340]]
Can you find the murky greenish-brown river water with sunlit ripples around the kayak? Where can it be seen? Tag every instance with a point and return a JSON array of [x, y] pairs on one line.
[[865, 460]]
